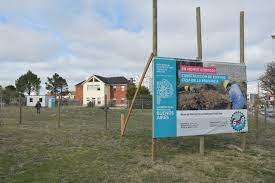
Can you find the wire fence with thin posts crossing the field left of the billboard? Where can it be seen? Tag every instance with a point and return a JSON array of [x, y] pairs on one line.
[[23, 111]]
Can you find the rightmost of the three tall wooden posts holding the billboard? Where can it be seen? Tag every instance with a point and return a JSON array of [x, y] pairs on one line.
[[243, 138]]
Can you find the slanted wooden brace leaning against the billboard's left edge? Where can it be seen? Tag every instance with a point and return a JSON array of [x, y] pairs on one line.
[[135, 96]]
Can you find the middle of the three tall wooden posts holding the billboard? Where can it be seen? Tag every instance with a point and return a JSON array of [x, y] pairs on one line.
[[199, 56]]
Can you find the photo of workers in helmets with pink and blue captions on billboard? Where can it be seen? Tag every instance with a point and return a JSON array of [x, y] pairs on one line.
[[210, 86]]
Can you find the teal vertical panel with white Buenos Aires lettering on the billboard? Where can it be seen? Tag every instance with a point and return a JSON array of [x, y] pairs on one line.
[[165, 98]]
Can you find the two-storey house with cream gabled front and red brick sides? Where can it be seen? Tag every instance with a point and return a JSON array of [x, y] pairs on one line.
[[96, 87]]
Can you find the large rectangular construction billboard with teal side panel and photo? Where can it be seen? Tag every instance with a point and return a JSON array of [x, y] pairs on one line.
[[198, 98]]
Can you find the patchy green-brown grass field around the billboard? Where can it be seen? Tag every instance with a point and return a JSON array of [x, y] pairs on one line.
[[82, 150]]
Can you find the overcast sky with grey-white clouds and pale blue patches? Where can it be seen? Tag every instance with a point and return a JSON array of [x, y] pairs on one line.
[[78, 38]]
